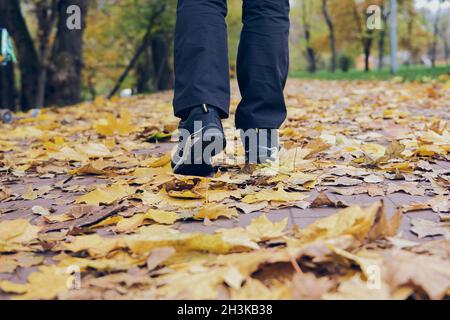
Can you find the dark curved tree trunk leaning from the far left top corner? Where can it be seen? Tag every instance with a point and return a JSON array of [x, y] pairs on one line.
[[11, 17]]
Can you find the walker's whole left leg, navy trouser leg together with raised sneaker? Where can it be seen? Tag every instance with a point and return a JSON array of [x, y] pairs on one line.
[[202, 84]]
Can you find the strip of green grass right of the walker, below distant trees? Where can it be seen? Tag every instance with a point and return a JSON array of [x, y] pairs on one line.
[[412, 73]]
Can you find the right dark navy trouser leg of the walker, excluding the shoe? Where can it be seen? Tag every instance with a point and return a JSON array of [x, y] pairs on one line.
[[263, 63]]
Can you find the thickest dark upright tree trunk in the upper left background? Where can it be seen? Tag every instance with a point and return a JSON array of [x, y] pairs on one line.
[[64, 72]]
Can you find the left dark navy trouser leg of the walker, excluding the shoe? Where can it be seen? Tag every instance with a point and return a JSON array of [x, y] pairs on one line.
[[201, 57]]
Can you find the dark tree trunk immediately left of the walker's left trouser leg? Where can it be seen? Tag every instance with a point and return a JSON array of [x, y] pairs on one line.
[[164, 78]]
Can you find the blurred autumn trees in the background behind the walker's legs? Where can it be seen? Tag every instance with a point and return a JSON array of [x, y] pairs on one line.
[[128, 44]]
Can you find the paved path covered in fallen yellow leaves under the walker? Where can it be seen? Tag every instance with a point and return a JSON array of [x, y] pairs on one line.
[[87, 192]]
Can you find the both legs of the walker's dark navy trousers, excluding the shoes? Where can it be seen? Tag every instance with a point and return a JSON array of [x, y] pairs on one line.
[[202, 66]]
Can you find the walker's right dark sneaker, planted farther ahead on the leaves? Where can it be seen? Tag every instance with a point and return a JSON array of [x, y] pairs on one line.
[[261, 145]]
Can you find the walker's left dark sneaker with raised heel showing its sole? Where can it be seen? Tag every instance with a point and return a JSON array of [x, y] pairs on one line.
[[201, 138]]
